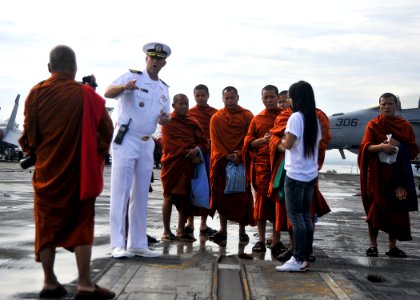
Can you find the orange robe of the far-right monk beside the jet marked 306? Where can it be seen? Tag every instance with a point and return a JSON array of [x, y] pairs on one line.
[[375, 176]]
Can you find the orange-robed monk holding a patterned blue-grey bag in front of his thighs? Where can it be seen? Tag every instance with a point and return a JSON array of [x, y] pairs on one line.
[[228, 128]]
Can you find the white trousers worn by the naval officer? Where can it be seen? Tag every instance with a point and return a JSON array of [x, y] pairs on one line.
[[132, 165]]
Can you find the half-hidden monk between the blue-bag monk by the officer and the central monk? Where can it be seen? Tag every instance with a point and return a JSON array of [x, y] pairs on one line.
[[203, 112]]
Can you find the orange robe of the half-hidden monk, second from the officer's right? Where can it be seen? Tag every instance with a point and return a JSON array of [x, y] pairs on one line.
[[203, 116]]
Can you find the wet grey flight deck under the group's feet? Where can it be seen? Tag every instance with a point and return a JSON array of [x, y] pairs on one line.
[[203, 270]]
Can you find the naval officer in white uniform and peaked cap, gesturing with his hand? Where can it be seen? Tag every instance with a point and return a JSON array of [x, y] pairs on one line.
[[143, 101]]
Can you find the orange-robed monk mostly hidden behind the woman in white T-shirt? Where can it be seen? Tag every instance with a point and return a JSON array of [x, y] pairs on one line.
[[320, 206]]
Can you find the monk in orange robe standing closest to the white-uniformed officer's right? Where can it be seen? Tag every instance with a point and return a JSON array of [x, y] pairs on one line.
[[182, 140]]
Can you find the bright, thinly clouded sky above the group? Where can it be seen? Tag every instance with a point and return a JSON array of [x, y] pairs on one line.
[[349, 51]]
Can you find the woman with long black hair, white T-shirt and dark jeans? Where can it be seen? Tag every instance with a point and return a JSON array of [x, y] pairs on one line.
[[301, 139]]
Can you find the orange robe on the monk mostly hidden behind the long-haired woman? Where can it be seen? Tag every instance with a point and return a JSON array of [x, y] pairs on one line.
[[320, 206]]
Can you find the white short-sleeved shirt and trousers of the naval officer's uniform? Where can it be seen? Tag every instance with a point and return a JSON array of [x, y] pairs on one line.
[[132, 161]]
